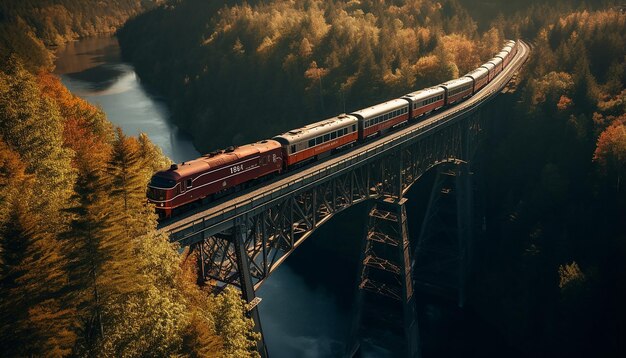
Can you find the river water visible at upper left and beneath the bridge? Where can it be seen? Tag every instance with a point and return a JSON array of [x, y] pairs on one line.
[[306, 308]]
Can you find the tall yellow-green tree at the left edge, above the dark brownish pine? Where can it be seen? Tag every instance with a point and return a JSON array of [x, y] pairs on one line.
[[32, 127]]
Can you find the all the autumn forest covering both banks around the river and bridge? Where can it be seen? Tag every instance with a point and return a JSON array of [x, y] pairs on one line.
[[83, 271]]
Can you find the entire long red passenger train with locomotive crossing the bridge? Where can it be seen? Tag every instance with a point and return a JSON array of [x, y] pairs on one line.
[[222, 172]]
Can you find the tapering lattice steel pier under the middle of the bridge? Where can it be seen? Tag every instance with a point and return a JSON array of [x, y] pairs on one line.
[[385, 270]]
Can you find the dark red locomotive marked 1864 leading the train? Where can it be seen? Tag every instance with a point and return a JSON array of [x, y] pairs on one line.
[[214, 174]]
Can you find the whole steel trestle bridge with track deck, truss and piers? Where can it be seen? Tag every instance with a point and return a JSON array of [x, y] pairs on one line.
[[242, 239]]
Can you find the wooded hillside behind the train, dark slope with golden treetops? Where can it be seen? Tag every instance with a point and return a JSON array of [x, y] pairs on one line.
[[282, 64]]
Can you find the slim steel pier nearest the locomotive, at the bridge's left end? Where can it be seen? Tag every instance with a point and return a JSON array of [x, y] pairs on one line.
[[240, 234]]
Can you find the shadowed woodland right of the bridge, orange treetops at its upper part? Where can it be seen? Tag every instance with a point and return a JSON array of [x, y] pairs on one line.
[[553, 276]]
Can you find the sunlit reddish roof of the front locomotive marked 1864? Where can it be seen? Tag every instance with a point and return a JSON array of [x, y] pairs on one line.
[[216, 159]]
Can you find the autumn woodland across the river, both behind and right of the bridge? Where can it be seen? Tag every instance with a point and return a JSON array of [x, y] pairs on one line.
[[552, 275]]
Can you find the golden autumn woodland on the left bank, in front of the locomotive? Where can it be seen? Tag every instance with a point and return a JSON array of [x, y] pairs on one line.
[[83, 271]]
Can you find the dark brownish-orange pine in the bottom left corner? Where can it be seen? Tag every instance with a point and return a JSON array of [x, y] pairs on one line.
[[35, 318]]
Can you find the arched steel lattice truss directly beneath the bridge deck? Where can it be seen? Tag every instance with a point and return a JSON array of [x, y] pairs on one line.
[[273, 233]]
